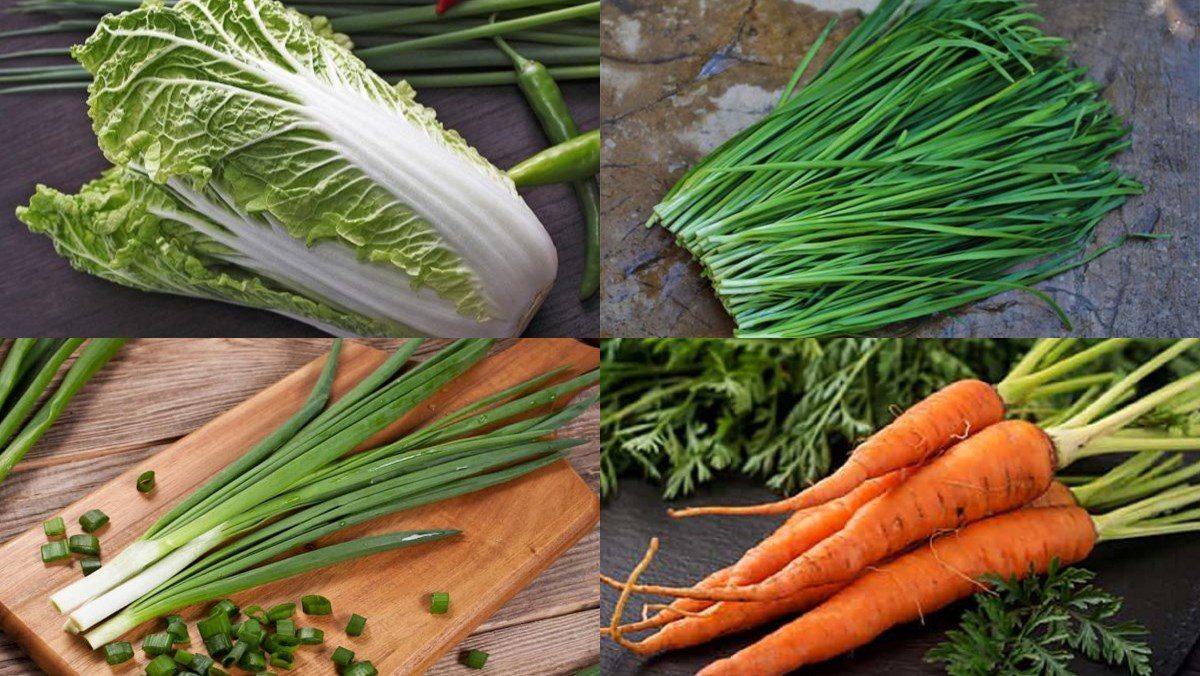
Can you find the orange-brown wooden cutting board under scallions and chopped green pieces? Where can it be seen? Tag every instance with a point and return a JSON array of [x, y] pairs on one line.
[[511, 533]]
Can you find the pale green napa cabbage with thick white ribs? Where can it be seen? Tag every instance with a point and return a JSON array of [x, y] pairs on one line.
[[262, 164]]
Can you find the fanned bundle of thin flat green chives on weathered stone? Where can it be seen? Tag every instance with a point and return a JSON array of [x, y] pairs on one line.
[[944, 154]]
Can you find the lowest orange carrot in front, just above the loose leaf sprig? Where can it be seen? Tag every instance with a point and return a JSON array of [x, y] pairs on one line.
[[917, 584]]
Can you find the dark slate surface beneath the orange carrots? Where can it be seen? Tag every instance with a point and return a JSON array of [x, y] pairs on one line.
[[1157, 578]]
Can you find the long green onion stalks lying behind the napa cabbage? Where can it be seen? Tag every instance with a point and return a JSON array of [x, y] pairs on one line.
[[403, 40]]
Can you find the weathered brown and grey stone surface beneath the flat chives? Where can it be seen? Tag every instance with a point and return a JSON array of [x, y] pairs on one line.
[[682, 76]]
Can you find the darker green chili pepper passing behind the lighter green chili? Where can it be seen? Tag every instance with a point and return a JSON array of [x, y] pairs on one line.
[[547, 100]]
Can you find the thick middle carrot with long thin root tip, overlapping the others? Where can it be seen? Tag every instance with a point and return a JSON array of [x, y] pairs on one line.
[[998, 470]]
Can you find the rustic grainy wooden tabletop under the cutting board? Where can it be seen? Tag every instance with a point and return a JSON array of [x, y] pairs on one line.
[[159, 391]]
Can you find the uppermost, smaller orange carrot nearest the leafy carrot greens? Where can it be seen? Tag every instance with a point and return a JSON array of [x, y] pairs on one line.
[[938, 422]]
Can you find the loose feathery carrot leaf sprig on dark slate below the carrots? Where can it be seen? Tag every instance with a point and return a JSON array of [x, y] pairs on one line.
[[1039, 625]]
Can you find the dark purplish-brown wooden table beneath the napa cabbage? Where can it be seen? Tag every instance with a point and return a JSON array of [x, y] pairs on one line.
[[47, 139]]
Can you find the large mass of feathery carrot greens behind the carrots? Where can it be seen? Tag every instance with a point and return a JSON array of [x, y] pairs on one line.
[[680, 410]]
